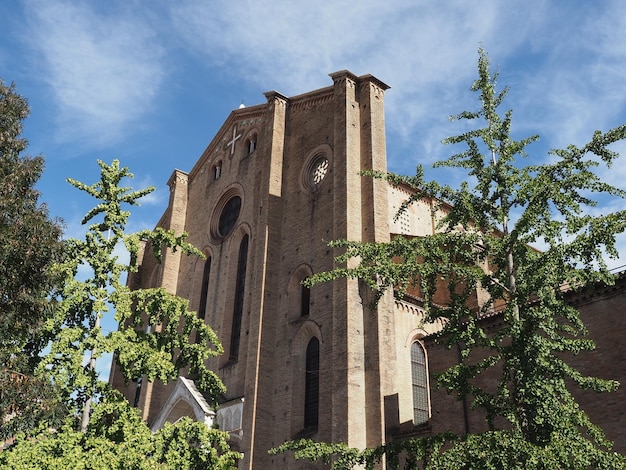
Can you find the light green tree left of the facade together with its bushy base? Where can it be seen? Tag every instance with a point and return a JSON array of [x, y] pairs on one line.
[[152, 341]]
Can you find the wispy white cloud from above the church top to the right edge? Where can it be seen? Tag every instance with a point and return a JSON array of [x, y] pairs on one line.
[[427, 53]]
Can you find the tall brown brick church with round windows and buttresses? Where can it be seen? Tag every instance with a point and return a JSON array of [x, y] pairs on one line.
[[278, 182]]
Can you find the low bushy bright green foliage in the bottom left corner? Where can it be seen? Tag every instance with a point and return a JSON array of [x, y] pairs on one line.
[[116, 438]]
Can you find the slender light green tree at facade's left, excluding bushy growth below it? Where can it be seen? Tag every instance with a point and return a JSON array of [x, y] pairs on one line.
[[153, 339]]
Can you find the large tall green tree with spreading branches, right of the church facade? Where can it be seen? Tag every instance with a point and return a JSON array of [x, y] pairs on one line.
[[484, 242]]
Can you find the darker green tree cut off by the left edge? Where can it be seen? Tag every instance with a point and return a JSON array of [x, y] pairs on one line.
[[29, 247]]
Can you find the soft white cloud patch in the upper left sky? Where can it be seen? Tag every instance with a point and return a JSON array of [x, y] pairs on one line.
[[104, 70]]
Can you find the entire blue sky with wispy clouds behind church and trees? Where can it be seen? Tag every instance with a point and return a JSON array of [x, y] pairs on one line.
[[150, 83]]
